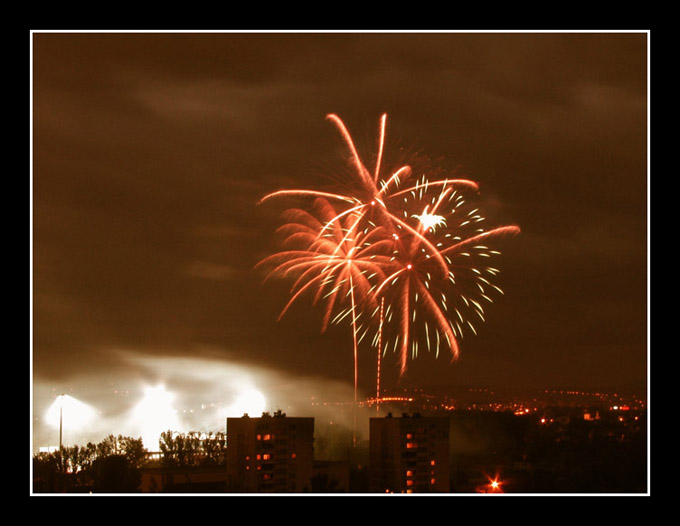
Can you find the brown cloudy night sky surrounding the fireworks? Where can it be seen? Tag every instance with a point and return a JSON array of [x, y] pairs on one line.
[[151, 151]]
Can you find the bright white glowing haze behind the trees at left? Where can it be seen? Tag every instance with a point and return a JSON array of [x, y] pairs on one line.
[[157, 394]]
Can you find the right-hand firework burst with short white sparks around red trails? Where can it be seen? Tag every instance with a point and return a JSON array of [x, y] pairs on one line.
[[425, 308]]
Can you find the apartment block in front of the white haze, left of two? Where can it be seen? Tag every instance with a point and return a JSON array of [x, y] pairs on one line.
[[270, 454]]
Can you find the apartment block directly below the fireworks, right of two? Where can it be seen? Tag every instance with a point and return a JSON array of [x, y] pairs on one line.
[[409, 454]]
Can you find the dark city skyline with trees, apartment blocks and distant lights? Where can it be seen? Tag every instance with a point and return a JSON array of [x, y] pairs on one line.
[[552, 449]]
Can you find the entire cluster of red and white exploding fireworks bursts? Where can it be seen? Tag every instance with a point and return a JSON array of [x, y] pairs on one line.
[[422, 266]]
